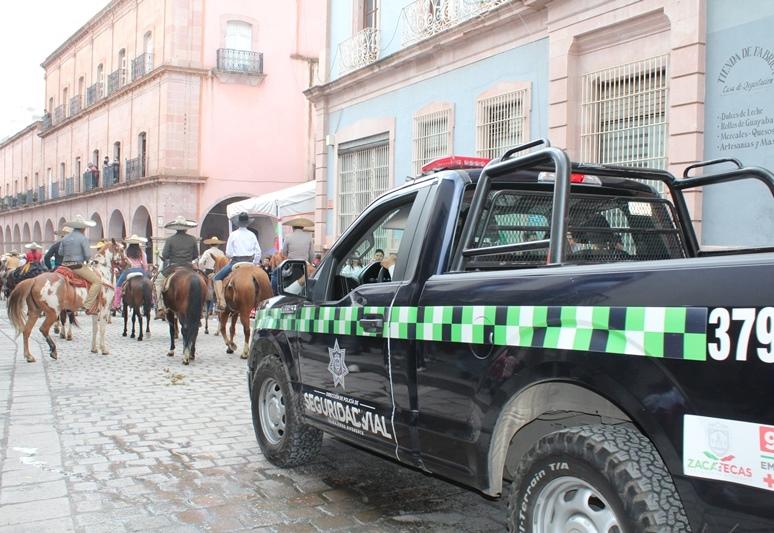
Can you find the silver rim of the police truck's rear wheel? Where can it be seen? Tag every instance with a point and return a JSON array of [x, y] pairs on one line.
[[571, 505]]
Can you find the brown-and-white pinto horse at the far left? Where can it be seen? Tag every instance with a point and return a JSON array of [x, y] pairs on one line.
[[50, 293]]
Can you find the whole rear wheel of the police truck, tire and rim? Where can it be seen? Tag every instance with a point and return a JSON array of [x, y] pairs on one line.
[[606, 479]]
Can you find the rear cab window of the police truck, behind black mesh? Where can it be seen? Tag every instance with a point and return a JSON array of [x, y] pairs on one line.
[[603, 228]]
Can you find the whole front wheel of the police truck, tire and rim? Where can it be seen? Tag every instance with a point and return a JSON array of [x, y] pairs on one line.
[[283, 437]]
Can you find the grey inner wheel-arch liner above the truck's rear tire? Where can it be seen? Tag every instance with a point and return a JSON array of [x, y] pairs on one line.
[[530, 404]]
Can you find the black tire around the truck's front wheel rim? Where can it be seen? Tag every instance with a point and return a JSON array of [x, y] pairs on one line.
[[298, 443]]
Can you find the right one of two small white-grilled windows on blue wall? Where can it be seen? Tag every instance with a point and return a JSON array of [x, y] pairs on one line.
[[502, 122]]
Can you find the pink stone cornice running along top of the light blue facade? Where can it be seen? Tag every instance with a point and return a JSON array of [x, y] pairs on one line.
[[374, 73]]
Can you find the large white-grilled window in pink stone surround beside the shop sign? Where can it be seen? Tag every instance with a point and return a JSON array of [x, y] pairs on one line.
[[624, 114]]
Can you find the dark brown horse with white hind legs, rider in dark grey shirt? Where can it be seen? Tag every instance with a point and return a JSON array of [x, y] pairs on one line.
[[184, 293]]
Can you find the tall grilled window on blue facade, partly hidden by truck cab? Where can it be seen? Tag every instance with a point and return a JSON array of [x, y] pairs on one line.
[[363, 174]]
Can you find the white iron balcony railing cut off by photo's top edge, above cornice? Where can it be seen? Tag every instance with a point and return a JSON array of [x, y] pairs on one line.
[[425, 18]]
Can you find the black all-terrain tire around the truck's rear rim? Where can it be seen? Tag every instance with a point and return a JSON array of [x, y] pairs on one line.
[[619, 463]]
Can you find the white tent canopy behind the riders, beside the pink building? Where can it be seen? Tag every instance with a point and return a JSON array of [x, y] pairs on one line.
[[292, 201]]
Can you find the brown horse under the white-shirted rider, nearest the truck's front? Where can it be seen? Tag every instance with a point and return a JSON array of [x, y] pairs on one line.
[[244, 289]]
